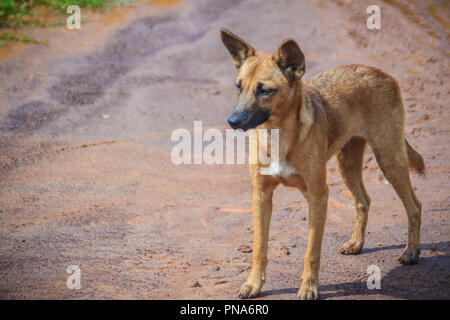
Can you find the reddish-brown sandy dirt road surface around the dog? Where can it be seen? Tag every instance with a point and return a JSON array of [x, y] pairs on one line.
[[85, 171]]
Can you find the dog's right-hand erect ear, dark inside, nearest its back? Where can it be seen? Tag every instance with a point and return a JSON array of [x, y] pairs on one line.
[[290, 60]]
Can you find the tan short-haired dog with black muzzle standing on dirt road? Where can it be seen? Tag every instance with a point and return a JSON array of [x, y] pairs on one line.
[[336, 112]]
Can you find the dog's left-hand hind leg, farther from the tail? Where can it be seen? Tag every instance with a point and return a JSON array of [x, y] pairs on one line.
[[350, 162]]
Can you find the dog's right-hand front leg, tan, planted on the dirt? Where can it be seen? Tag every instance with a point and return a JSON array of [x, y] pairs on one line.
[[317, 200]]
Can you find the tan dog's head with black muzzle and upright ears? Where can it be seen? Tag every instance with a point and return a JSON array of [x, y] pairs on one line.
[[265, 81]]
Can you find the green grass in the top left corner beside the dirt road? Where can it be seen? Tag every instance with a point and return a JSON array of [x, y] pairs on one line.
[[23, 14]]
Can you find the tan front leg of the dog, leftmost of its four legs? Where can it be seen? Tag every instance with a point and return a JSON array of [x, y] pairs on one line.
[[262, 211]]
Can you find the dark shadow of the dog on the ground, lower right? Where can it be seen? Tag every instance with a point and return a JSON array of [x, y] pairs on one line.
[[429, 279]]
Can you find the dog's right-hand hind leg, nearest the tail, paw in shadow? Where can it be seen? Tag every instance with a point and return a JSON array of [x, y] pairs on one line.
[[393, 160]]
